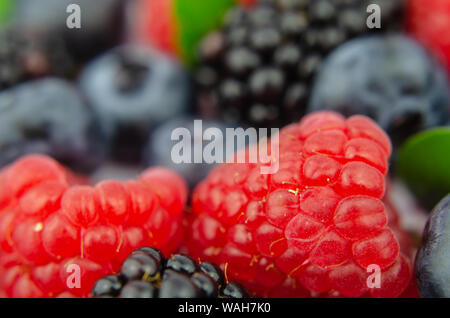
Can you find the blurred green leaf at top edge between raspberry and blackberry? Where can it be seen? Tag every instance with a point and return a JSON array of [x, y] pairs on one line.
[[195, 18]]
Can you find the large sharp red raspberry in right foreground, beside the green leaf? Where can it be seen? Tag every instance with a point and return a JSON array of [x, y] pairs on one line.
[[313, 227]]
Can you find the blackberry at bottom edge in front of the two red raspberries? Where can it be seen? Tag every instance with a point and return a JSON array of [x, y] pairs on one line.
[[147, 274]]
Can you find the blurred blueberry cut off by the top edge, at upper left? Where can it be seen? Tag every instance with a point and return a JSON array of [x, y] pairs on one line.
[[102, 23]]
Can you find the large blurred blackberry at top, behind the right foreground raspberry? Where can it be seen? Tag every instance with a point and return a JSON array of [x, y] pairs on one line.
[[258, 68]]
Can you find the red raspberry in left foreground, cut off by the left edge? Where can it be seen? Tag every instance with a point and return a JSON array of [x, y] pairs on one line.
[[48, 224]]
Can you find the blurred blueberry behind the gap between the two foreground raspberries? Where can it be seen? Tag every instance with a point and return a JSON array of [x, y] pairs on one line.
[[160, 145]]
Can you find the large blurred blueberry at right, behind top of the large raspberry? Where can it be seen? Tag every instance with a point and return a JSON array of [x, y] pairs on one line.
[[389, 78]]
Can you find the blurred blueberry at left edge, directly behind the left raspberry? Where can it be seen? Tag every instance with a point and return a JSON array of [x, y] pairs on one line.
[[48, 116]]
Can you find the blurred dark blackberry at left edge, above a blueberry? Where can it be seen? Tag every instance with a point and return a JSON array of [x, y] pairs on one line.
[[27, 54]]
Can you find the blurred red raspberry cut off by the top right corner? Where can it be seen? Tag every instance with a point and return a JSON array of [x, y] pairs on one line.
[[429, 22]]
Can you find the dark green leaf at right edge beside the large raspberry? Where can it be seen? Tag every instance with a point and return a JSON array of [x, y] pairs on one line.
[[424, 164]]
